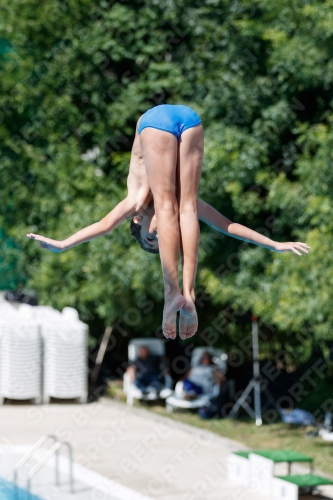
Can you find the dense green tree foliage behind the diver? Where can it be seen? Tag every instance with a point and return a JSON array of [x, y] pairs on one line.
[[77, 75]]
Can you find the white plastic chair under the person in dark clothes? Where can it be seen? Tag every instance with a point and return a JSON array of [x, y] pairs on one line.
[[157, 348]]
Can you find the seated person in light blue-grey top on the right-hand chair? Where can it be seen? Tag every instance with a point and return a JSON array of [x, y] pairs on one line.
[[201, 379]]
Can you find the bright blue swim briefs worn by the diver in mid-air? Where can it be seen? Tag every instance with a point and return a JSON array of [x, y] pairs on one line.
[[173, 118]]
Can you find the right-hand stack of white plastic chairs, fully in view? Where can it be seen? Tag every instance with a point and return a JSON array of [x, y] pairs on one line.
[[65, 356]]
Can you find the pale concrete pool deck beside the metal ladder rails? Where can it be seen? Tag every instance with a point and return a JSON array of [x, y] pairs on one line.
[[158, 458]]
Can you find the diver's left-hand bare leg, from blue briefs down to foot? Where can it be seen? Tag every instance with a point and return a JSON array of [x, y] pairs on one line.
[[160, 150]]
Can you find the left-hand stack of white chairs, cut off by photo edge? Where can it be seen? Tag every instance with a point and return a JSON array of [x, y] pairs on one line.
[[20, 355]]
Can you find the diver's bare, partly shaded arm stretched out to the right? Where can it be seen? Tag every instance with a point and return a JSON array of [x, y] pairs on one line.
[[213, 218]]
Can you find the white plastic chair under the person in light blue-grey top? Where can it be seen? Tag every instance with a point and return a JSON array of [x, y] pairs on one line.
[[177, 399]]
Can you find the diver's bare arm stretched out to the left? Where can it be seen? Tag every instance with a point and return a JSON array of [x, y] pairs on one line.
[[125, 209]]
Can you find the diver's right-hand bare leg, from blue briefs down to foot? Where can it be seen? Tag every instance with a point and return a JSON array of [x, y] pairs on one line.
[[191, 151]]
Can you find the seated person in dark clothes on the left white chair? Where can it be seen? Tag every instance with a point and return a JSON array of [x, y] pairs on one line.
[[145, 371]]
